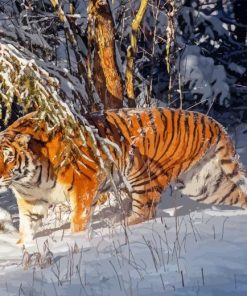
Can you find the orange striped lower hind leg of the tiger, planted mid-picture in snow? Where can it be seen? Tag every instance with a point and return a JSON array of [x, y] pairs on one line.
[[143, 207]]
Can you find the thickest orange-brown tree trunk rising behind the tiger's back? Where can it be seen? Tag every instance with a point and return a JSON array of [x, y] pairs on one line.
[[102, 65]]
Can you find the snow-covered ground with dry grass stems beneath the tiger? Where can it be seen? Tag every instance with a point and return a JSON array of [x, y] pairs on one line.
[[193, 250]]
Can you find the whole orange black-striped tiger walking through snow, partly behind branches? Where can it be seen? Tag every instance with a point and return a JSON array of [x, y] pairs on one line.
[[158, 146]]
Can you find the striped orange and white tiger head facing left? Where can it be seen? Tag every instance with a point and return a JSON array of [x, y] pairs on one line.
[[16, 160]]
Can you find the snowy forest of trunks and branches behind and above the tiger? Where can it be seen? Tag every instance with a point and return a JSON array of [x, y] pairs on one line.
[[101, 54]]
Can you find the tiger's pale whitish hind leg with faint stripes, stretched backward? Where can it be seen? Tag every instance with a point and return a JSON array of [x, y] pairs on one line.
[[208, 183]]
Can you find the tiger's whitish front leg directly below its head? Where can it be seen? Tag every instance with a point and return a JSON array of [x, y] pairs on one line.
[[30, 215]]
